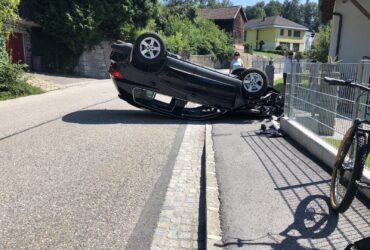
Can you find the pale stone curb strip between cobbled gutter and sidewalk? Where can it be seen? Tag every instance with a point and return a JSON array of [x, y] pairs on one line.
[[213, 235]]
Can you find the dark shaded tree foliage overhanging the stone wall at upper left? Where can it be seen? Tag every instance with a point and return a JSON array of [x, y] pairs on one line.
[[78, 23]]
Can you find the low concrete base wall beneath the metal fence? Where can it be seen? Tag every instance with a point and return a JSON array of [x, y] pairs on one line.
[[315, 145]]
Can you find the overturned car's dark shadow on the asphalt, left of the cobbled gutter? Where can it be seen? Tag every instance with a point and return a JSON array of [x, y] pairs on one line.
[[106, 116]]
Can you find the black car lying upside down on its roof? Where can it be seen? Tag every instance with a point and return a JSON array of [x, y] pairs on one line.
[[147, 76]]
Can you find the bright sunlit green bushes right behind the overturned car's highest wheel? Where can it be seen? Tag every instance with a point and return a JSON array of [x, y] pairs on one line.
[[185, 32]]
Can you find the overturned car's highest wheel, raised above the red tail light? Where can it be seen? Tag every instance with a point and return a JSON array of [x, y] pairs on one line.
[[149, 49]]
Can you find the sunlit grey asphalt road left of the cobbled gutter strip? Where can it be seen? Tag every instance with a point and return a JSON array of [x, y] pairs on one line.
[[82, 169]]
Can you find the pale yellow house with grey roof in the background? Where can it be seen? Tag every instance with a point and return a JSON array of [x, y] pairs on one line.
[[267, 33]]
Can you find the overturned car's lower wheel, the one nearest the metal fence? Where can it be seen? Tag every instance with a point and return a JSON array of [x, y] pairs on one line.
[[255, 82]]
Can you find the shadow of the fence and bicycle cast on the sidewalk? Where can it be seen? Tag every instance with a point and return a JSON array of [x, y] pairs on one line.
[[304, 187]]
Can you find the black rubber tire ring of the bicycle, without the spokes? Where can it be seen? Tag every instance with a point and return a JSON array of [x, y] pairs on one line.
[[360, 158]]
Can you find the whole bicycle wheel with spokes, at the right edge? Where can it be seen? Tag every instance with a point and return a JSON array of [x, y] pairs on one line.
[[347, 170]]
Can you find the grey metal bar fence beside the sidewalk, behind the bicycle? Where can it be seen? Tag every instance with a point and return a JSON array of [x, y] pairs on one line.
[[326, 110]]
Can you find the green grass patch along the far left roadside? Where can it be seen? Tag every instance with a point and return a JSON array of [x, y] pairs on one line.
[[18, 89]]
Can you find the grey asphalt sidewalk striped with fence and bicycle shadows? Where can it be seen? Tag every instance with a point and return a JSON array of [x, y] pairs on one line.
[[275, 196]]
